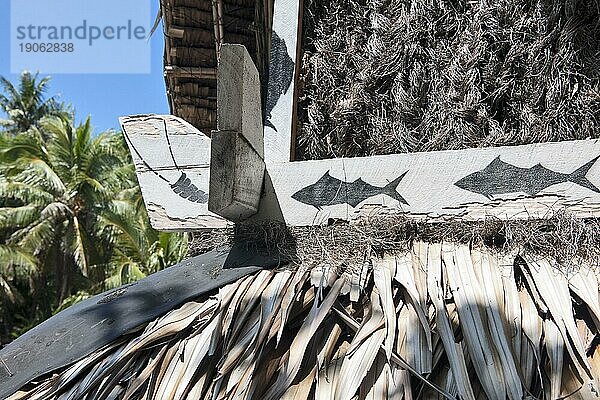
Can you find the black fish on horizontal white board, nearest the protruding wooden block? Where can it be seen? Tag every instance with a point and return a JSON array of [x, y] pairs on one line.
[[329, 191]]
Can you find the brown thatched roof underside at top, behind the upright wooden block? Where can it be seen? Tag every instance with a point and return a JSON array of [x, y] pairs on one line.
[[193, 31]]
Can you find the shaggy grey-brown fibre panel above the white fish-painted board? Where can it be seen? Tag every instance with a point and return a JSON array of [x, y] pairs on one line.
[[392, 76]]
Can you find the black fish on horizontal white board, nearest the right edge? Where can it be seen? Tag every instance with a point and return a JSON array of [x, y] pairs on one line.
[[500, 177]]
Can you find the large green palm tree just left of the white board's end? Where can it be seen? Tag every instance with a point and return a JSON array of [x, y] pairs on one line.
[[56, 189]]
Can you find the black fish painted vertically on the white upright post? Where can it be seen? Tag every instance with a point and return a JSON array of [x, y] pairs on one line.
[[281, 74]]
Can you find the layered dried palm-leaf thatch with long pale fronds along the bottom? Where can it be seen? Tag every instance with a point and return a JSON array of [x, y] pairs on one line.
[[437, 321]]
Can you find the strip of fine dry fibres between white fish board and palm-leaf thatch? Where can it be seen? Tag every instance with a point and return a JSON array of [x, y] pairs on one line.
[[560, 237]]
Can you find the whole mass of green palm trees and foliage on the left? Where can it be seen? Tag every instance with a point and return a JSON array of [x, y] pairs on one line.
[[72, 219]]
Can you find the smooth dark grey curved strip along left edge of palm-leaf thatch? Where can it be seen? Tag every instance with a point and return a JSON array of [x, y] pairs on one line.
[[94, 323]]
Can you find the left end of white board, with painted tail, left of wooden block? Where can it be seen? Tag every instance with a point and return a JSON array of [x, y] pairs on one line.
[[172, 161]]
